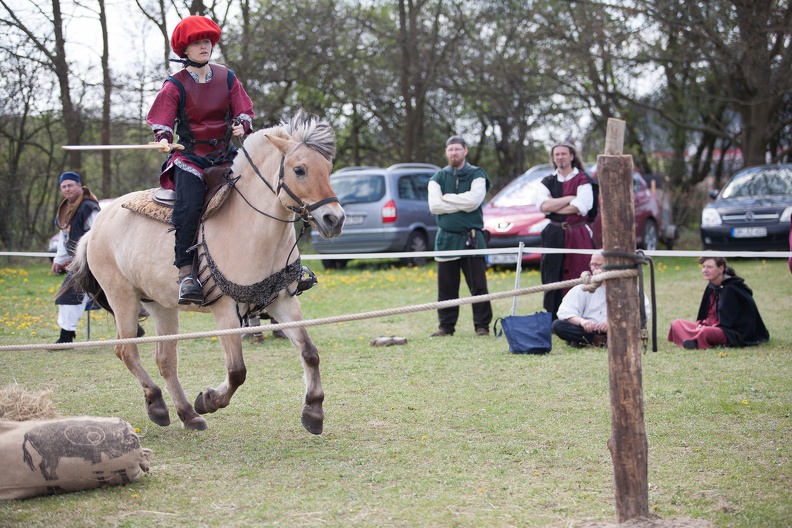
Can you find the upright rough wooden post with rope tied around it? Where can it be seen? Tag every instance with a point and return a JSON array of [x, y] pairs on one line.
[[627, 444]]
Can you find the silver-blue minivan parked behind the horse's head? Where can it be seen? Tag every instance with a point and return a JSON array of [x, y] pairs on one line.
[[387, 210]]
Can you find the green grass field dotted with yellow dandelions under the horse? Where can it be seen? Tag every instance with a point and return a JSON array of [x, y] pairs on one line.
[[440, 432]]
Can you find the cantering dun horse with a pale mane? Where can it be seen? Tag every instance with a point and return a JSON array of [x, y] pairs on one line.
[[249, 246]]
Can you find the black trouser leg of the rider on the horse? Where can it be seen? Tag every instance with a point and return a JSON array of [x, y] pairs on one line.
[[190, 192]]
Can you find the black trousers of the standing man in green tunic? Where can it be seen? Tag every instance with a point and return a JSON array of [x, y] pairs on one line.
[[448, 276]]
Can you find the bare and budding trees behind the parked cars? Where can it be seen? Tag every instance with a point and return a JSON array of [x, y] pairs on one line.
[[691, 79]]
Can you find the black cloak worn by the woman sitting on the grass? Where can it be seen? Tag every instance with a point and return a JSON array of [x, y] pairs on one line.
[[738, 315]]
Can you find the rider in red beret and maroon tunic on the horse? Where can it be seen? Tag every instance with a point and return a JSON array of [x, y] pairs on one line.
[[205, 104]]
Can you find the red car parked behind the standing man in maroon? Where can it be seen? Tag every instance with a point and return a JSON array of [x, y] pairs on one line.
[[511, 217]]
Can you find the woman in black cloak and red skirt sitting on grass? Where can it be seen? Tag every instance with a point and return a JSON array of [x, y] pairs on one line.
[[727, 316]]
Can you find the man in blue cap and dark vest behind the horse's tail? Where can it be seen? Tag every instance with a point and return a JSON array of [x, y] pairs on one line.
[[75, 215]]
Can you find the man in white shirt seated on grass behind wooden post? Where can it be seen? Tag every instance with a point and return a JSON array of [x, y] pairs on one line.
[[583, 316]]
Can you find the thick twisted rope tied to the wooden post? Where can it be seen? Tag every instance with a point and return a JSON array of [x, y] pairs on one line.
[[618, 274]]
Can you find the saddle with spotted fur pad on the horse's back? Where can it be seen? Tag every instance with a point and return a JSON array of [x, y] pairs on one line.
[[158, 203]]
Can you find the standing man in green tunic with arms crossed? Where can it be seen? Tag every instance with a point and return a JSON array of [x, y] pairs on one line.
[[456, 194]]
